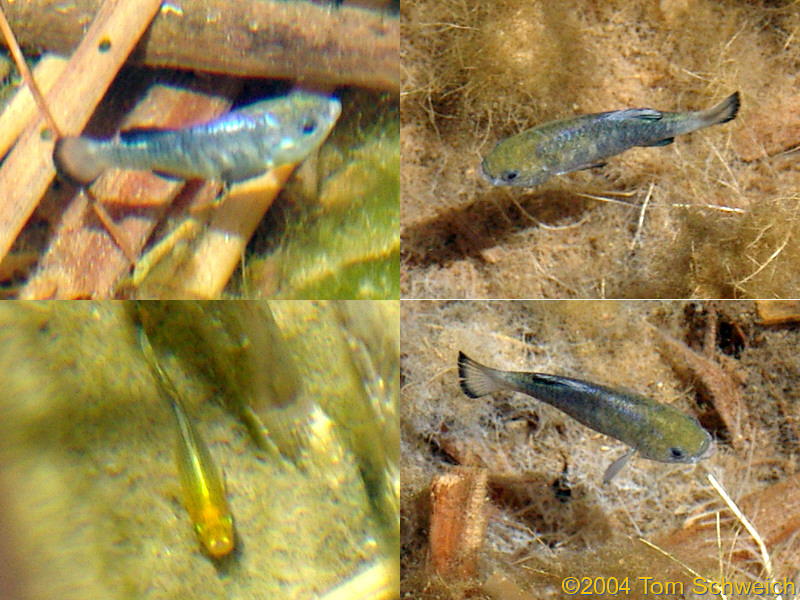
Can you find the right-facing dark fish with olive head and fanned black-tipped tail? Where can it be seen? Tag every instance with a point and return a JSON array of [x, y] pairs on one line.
[[656, 431]]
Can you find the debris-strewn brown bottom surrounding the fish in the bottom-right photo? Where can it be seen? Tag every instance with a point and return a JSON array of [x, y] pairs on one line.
[[502, 497]]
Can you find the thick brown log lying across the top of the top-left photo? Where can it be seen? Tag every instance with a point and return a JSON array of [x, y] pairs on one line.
[[298, 40]]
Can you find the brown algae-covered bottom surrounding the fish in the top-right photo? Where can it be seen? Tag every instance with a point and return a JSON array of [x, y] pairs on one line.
[[709, 216]]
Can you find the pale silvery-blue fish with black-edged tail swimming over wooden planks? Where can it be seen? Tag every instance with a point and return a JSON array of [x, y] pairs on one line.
[[240, 145]]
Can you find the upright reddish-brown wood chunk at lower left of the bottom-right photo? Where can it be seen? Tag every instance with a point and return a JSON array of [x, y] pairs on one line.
[[458, 522]]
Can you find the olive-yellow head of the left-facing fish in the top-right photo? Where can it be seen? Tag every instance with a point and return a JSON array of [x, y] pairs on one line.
[[514, 162]]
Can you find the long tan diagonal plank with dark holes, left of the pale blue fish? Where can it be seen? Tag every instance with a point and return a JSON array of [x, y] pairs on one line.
[[28, 169]]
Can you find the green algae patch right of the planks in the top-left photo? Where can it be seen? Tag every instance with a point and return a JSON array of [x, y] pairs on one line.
[[347, 245]]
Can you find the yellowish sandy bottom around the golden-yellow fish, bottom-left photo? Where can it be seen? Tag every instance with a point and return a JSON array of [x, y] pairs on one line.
[[89, 489]]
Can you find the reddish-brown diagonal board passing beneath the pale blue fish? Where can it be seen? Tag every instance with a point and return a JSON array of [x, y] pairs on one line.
[[83, 260]]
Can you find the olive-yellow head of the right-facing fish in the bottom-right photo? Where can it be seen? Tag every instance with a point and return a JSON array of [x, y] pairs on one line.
[[673, 436]]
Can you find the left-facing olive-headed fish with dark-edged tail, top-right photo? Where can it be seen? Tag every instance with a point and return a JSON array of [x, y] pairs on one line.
[[533, 156]]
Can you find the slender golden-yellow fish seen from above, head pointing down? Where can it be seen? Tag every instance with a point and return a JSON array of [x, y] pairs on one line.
[[201, 481]]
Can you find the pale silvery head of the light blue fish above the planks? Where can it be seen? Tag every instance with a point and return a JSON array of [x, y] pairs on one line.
[[305, 121]]
